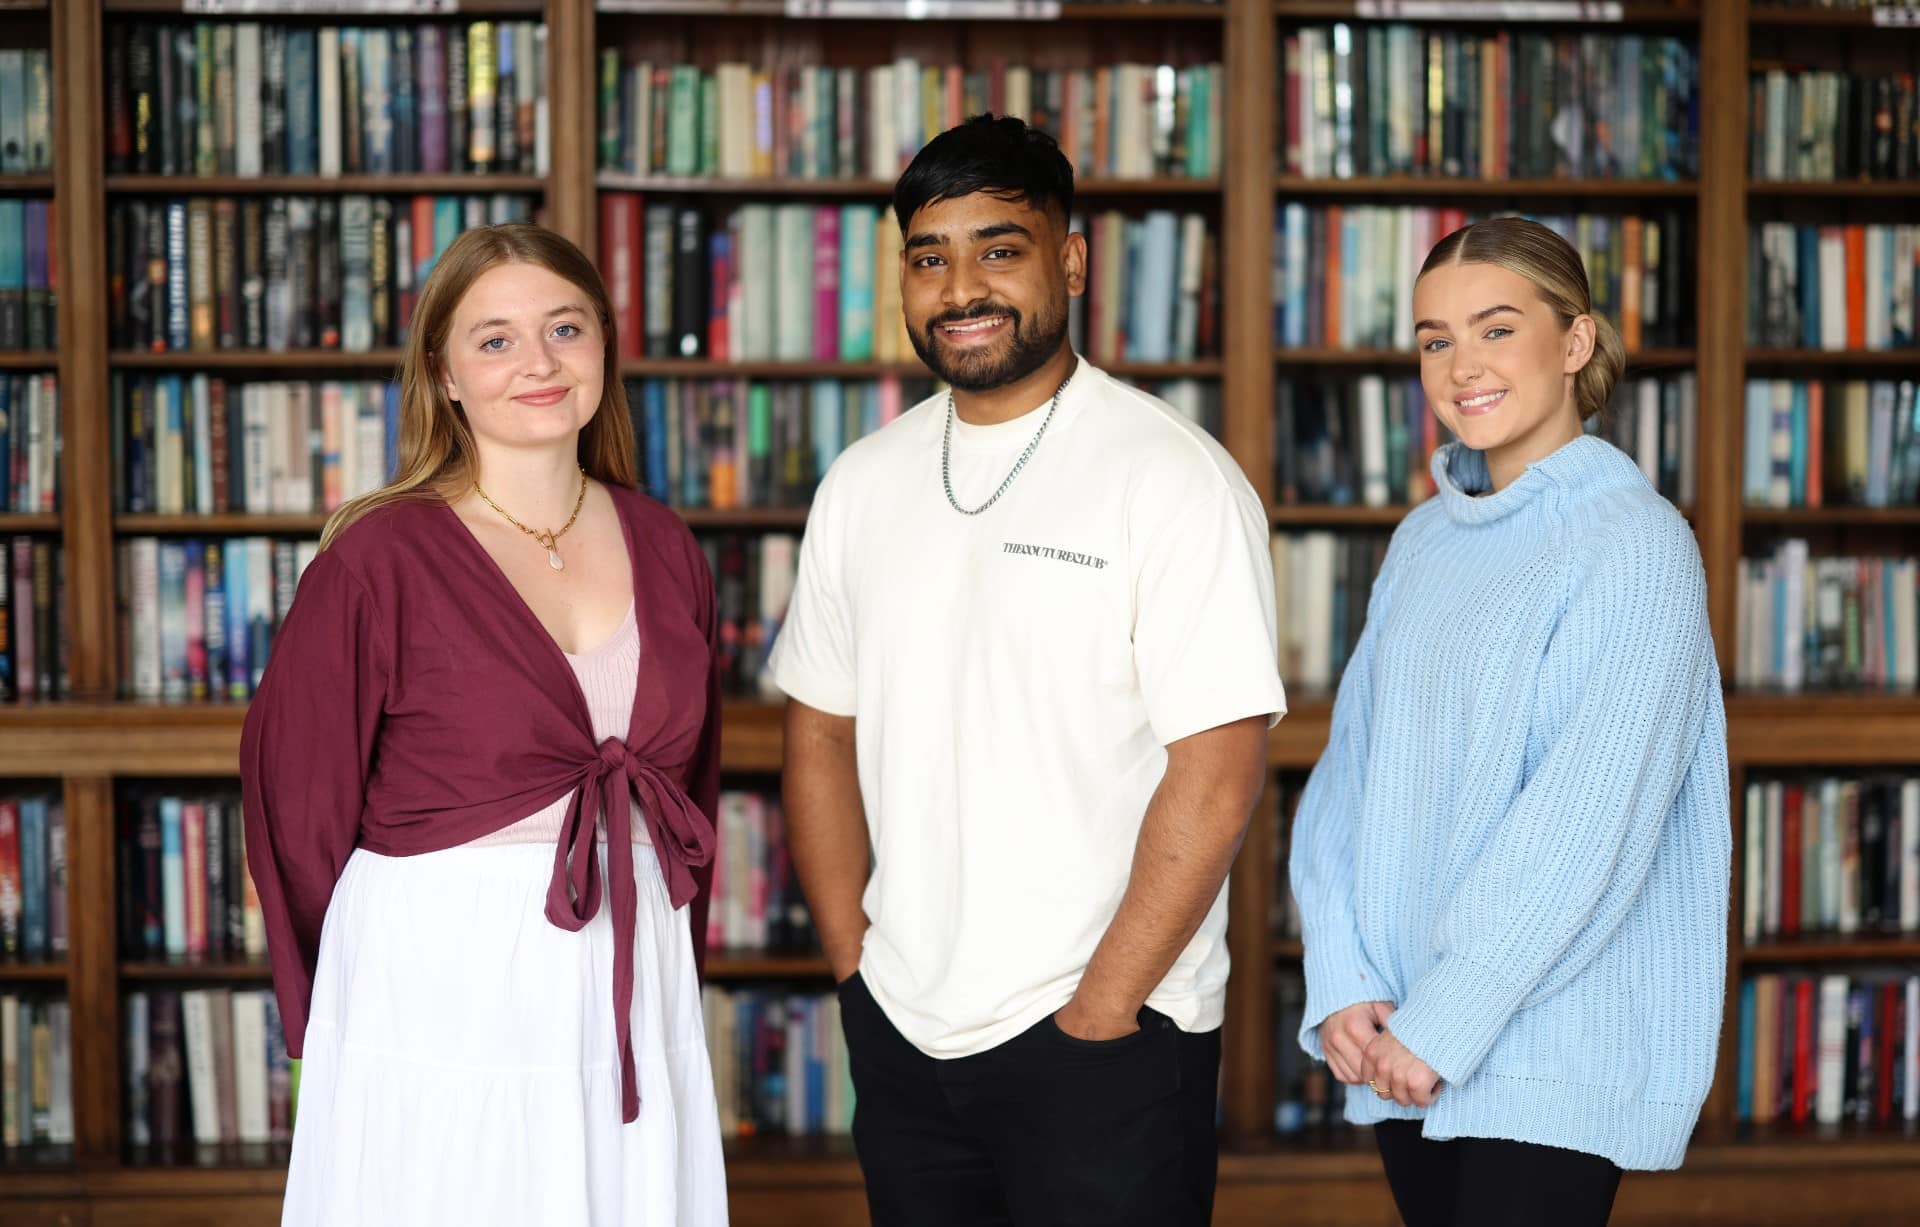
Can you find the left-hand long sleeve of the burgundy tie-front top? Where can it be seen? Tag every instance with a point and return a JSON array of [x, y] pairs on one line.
[[304, 759]]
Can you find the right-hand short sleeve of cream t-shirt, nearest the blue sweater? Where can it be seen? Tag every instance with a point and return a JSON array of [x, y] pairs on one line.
[[1205, 638]]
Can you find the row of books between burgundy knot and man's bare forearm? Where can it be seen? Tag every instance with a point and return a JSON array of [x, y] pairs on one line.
[[757, 902]]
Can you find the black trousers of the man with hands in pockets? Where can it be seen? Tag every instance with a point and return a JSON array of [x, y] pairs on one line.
[[1042, 1132]]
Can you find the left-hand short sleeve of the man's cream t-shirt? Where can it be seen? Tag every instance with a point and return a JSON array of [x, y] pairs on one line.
[[813, 656]]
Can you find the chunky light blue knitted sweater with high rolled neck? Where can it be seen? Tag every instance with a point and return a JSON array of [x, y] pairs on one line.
[[1520, 829]]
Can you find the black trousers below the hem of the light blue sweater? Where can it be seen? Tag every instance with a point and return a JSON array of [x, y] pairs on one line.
[[1476, 1182]]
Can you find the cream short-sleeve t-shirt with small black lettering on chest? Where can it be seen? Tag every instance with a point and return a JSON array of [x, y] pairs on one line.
[[1015, 679]]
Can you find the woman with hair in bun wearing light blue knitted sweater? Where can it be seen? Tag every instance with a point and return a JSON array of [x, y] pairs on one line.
[[1512, 859]]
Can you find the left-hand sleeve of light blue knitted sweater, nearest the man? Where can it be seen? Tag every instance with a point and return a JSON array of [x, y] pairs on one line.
[[1322, 859]]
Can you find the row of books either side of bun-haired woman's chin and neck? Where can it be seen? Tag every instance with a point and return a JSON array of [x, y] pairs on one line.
[[1370, 441]]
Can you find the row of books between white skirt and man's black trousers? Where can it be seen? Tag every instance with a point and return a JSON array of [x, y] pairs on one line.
[[779, 1061]]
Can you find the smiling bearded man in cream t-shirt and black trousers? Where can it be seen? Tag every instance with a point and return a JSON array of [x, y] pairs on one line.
[[1032, 665]]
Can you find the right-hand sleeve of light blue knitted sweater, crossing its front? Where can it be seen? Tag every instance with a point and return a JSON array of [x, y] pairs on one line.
[[1564, 865]]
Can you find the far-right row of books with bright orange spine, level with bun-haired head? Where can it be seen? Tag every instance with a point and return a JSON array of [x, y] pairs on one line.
[[1833, 287]]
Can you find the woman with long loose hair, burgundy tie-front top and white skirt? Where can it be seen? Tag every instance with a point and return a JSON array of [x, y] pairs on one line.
[[481, 779]]
